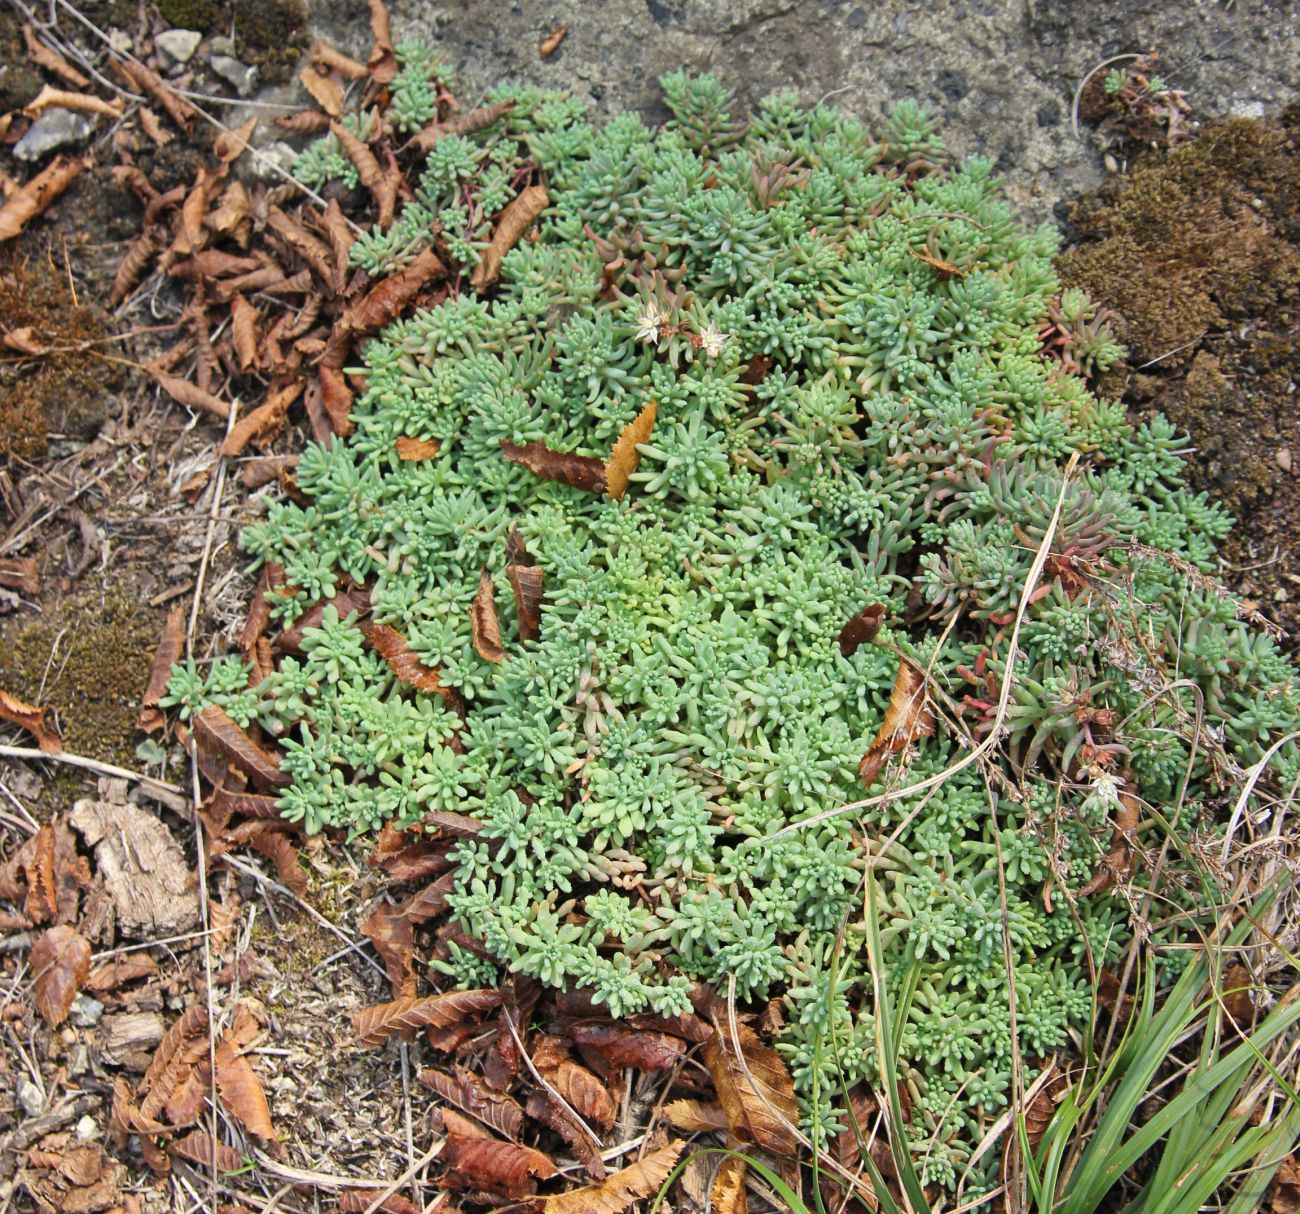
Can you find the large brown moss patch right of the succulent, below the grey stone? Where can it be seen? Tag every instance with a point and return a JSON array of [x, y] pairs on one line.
[[1199, 253]]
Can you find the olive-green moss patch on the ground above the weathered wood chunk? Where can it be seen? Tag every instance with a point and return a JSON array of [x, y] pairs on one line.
[[89, 658]]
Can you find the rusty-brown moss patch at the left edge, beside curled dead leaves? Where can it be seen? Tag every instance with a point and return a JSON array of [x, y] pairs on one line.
[[62, 392]]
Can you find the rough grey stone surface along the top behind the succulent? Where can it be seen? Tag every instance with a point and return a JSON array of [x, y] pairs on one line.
[[1000, 73]]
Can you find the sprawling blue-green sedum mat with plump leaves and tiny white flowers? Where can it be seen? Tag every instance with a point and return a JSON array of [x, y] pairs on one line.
[[868, 396]]
